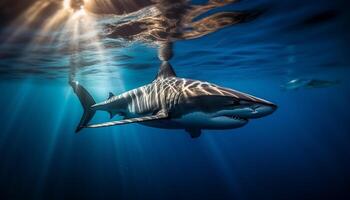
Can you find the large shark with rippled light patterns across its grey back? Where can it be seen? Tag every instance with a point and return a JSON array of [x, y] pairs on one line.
[[171, 102]]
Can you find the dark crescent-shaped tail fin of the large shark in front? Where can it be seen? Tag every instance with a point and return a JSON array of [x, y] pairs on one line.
[[86, 101]]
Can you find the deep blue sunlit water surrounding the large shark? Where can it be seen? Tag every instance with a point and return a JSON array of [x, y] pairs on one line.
[[301, 151]]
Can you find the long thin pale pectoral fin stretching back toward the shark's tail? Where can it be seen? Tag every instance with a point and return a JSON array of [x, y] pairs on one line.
[[159, 115]]
